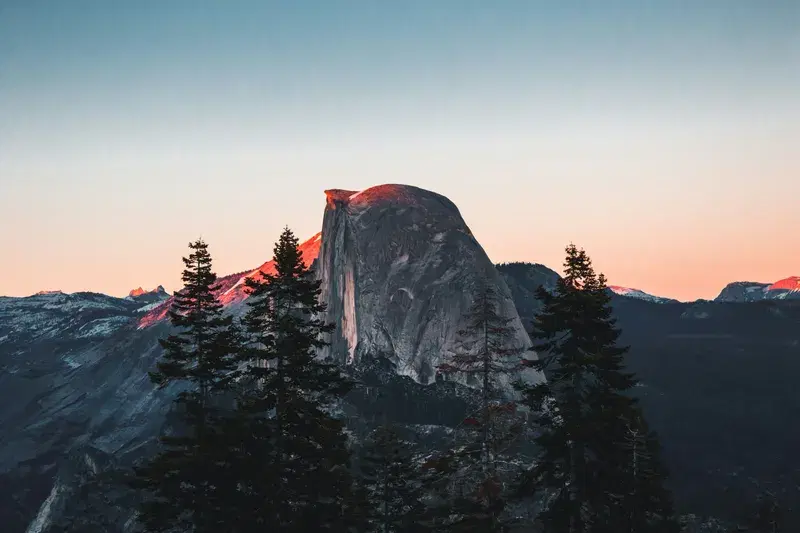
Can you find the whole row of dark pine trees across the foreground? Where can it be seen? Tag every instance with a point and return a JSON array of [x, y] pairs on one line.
[[255, 443]]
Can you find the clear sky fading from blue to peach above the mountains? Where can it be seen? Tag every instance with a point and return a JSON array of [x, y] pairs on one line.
[[662, 137]]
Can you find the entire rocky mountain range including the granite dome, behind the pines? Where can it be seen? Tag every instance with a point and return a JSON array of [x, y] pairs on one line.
[[398, 265]]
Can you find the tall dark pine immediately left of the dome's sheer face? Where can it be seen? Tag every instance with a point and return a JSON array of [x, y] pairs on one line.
[[294, 453]]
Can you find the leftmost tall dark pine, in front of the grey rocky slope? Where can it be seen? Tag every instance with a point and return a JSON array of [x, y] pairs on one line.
[[184, 481]]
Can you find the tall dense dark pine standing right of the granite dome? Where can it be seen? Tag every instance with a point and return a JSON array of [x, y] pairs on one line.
[[584, 414]]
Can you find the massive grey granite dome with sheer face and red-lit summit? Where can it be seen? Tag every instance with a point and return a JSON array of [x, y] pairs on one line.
[[399, 268]]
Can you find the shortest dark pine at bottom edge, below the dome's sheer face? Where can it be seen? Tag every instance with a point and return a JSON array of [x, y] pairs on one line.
[[392, 484]]
